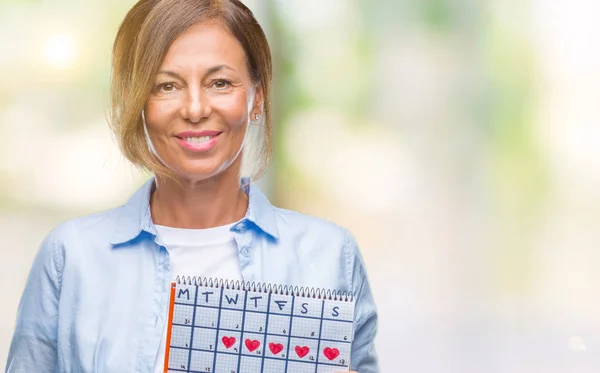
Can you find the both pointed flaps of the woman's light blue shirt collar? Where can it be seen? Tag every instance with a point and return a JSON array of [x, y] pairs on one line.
[[134, 217]]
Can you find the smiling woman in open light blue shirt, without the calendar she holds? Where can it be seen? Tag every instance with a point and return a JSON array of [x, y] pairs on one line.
[[191, 103]]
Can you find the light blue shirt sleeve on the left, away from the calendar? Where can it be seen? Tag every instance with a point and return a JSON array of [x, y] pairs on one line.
[[34, 343]]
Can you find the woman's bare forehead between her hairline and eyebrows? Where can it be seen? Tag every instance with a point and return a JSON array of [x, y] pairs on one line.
[[203, 46]]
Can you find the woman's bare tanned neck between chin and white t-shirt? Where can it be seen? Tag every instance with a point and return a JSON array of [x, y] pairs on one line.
[[198, 204]]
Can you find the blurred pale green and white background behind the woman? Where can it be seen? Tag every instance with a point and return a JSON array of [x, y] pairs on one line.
[[458, 140]]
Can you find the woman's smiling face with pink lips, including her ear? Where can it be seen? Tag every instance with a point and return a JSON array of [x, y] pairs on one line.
[[201, 102]]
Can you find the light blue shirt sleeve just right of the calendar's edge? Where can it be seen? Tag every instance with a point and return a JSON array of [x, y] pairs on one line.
[[363, 356]]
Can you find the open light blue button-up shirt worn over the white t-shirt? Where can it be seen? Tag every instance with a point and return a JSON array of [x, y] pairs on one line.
[[96, 299]]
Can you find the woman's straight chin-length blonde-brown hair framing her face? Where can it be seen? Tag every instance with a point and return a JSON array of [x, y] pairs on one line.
[[140, 46]]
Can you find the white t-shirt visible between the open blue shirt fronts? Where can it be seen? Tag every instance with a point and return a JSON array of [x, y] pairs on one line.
[[208, 252]]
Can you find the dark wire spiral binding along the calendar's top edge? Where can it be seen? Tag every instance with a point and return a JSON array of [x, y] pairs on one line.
[[260, 287]]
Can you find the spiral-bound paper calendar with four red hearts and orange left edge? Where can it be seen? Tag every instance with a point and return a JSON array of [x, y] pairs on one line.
[[218, 326]]
